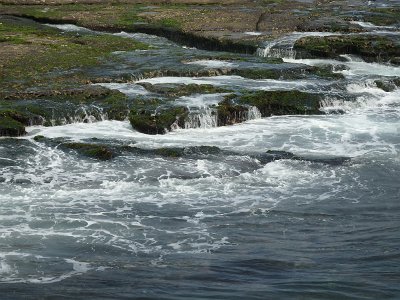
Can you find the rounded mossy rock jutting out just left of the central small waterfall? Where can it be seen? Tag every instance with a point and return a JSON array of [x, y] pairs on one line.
[[160, 122]]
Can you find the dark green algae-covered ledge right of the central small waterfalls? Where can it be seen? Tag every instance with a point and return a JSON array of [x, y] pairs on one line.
[[282, 102]]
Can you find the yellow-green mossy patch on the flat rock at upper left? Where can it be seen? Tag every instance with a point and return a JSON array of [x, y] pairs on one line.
[[50, 50]]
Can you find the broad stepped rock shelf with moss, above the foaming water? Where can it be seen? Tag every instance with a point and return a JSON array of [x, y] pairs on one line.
[[53, 87]]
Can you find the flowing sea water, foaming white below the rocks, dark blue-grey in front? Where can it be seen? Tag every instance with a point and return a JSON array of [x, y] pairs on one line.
[[216, 223]]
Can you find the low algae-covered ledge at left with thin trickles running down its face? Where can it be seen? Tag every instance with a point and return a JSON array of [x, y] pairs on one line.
[[57, 107]]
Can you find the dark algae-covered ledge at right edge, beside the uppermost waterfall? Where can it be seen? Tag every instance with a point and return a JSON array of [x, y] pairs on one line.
[[369, 47]]
